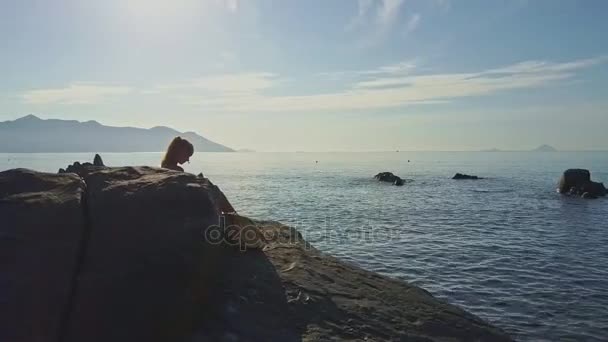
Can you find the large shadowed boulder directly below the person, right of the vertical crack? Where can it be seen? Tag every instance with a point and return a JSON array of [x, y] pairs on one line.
[[148, 269]]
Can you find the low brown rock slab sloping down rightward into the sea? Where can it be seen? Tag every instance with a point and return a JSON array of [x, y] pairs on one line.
[[292, 292]]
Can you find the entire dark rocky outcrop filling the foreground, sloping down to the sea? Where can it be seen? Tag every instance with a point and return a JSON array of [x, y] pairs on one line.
[[145, 254]]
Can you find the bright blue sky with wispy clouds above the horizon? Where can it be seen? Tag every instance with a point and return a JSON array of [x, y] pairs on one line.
[[339, 75]]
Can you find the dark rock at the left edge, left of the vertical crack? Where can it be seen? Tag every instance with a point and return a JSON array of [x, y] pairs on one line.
[[41, 230]]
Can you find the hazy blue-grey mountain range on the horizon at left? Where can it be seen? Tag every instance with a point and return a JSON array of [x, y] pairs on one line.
[[32, 134]]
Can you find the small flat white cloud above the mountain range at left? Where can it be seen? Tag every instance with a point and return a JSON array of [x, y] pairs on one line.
[[75, 93]]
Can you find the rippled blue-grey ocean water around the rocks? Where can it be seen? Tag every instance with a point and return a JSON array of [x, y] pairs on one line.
[[507, 248]]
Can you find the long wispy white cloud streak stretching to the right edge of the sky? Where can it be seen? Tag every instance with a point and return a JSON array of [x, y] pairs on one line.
[[385, 87]]
